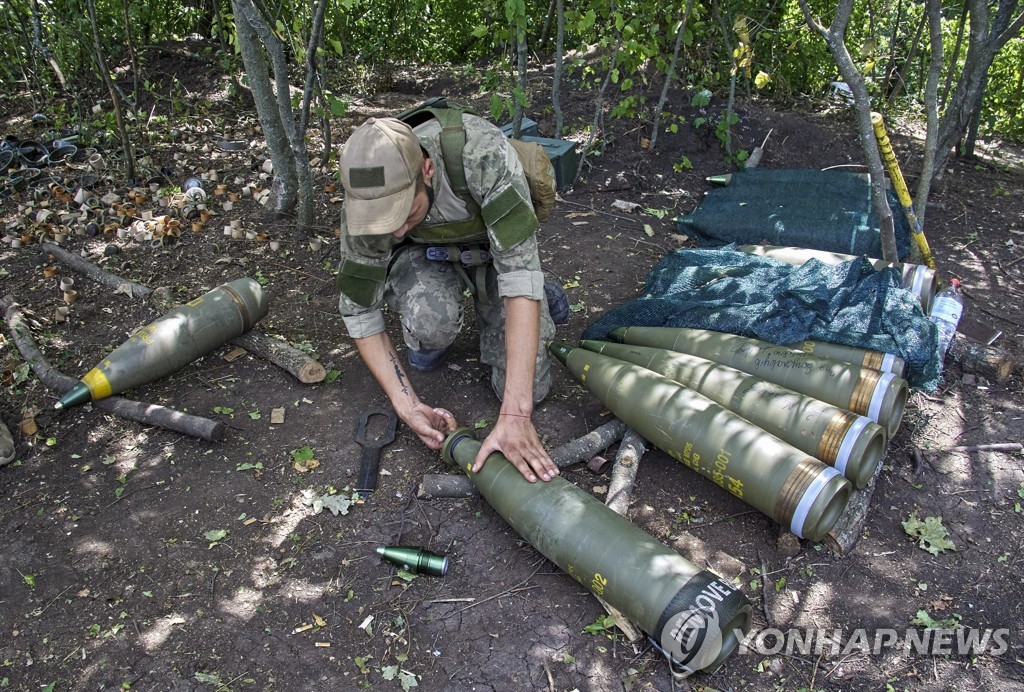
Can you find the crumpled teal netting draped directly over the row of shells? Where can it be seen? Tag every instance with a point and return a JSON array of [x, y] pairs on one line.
[[763, 298]]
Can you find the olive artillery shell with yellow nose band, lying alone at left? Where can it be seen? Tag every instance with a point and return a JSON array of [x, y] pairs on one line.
[[174, 341]]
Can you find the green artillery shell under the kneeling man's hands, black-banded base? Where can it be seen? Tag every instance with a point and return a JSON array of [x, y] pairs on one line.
[[616, 560]]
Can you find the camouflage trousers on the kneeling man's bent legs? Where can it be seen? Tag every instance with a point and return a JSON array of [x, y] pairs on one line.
[[430, 298]]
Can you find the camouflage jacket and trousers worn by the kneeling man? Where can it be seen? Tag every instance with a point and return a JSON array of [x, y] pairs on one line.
[[429, 294]]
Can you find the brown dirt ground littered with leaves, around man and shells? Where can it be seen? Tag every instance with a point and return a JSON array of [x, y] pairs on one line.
[[138, 558]]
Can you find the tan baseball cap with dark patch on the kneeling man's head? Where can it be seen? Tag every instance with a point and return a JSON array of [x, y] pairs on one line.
[[379, 165]]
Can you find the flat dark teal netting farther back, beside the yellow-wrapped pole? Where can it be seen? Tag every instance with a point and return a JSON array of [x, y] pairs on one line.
[[825, 210]]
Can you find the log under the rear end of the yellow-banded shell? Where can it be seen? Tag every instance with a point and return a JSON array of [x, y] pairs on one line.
[[290, 360]]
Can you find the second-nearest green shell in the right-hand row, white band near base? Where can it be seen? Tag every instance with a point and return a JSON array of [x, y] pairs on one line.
[[852, 445]]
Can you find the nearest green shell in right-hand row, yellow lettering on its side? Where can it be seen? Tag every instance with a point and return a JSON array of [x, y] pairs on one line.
[[792, 488]]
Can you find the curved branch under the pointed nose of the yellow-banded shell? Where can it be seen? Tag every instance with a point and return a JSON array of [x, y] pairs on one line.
[[146, 414]]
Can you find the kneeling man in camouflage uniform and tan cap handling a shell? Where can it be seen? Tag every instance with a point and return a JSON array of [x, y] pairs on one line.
[[418, 231]]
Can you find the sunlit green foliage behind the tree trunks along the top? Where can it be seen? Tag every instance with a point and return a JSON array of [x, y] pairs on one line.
[[367, 40]]
